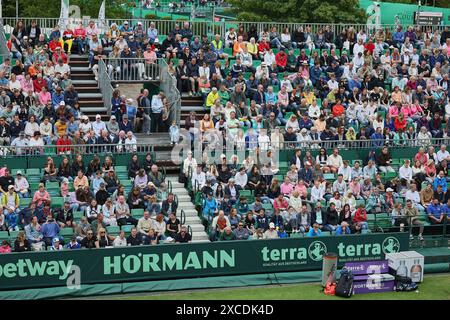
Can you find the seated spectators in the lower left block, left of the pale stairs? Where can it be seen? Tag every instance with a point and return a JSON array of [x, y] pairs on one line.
[[85, 205]]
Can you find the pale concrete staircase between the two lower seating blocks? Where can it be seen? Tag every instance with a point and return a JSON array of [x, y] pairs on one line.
[[184, 203]]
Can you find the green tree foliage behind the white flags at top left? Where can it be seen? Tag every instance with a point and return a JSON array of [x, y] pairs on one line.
[[51, 8]]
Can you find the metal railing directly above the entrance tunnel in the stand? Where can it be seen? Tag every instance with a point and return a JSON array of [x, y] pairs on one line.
[[132, 69]]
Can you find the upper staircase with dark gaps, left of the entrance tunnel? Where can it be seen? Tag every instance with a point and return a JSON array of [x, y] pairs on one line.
[[90, 96]]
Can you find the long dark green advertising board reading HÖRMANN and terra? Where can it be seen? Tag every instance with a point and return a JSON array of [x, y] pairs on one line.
[[47, 269]]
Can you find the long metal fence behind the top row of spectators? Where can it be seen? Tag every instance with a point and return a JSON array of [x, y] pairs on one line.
[[205, 27]]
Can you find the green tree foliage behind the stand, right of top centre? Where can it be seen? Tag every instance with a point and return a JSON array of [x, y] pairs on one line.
[[331, 11]]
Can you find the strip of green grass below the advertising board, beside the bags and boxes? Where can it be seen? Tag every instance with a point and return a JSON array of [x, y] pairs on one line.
[[435, 287]]
